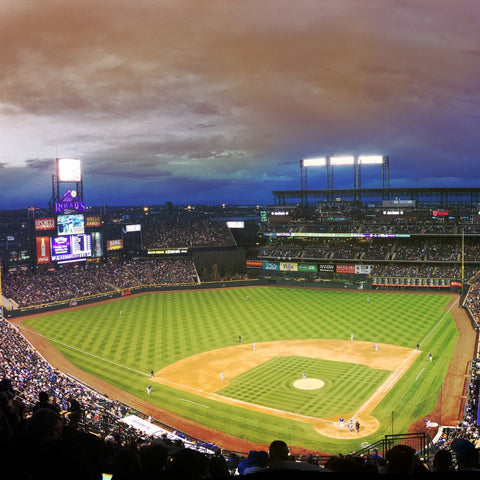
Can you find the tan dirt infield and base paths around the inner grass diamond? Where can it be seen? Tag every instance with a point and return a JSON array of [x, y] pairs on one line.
[[208, 372]]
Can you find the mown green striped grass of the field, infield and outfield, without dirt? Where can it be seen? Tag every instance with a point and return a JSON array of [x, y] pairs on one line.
[[157, 329]]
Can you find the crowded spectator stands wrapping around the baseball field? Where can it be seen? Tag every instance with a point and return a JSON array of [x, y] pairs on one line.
[[328, 244]]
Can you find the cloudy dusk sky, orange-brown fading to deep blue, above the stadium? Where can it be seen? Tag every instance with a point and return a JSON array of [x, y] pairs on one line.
[[216, 101]]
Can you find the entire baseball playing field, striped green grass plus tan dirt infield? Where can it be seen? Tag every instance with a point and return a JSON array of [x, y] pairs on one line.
[[266, 363]]
